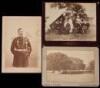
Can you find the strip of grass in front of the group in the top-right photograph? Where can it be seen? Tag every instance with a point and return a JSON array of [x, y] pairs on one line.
[[72, 37]]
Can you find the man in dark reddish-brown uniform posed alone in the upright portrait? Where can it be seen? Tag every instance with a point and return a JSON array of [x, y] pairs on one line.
[[21, 49]]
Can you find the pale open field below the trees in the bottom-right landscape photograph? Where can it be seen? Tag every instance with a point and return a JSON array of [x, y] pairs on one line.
[[57, 77]]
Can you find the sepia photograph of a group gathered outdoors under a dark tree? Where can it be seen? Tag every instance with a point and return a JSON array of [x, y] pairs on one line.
[[70, 21]]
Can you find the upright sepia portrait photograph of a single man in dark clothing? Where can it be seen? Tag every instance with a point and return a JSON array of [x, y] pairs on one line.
[[21, 44]]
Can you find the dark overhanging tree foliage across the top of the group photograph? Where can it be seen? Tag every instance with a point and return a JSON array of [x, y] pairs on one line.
[[78, 9]]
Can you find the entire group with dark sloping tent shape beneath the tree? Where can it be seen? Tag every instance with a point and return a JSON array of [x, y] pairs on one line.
[[67, 24]]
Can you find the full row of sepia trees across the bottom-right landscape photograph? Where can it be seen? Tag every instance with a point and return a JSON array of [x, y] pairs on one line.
[[58, 61]]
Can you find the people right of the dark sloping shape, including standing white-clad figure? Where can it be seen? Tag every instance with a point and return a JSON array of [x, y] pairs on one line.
[[76, 25]]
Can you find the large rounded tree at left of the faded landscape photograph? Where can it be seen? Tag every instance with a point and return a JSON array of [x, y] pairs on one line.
[[58, 61]]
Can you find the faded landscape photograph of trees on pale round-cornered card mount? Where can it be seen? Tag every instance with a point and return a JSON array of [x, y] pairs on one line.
[[70, 66]]
